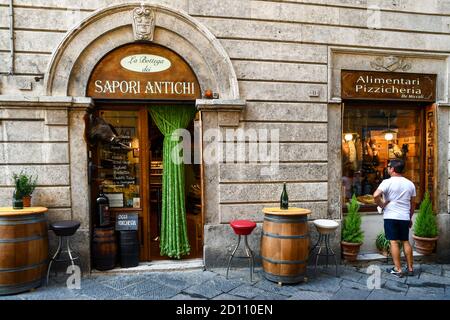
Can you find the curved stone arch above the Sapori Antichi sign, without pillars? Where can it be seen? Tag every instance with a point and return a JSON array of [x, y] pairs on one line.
[[106, 29]]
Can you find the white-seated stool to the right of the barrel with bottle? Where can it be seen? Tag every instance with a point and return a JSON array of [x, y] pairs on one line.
[[325, 227]]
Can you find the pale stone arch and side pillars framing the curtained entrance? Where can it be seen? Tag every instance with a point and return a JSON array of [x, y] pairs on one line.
[[109, 28]]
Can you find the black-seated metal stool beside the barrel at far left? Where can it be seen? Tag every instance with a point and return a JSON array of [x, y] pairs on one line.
[[63, 230]]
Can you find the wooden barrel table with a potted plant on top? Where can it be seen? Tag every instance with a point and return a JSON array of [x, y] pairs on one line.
[[23, 249]]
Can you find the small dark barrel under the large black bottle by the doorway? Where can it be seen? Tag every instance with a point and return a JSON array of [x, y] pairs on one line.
[[104, 248]]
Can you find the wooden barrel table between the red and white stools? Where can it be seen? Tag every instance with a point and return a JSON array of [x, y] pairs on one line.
[[284, 244]]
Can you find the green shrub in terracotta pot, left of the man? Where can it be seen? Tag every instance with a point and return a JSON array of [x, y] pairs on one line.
[[352, 235]]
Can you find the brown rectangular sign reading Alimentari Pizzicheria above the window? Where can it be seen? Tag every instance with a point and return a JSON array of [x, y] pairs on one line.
[[372, 85]]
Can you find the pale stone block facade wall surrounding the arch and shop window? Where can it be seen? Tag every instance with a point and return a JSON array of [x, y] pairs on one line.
[[287, 66]]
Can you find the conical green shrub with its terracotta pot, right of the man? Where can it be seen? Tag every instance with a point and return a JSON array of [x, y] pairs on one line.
[[425, 233]]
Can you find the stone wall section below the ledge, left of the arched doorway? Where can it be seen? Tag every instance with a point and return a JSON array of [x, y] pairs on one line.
[[34, 138]]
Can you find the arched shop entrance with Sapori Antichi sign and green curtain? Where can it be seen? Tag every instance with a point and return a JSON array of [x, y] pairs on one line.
[[143, 93]]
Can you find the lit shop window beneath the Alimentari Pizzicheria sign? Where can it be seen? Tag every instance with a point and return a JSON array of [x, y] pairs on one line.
[[372, 135]]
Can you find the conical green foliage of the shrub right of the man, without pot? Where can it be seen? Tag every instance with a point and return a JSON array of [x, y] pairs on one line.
[[425, 225]]
